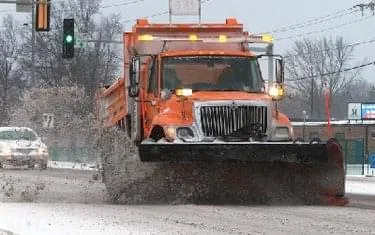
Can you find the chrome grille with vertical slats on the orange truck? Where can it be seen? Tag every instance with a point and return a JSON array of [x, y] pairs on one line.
[[224, 120]]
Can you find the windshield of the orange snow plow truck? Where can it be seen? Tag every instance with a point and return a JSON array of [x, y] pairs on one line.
[[208, 73]]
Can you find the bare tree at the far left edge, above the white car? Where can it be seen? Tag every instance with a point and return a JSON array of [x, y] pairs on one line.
[[10, 81]]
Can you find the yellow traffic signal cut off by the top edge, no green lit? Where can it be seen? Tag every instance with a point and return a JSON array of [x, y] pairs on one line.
[[42, 16]]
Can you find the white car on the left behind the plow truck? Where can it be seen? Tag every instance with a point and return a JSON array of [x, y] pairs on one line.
[[22, 146]]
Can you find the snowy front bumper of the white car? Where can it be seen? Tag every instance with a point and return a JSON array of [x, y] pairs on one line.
[[23, 159]]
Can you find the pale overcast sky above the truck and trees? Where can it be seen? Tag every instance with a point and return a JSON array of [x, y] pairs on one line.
[[264, 16]]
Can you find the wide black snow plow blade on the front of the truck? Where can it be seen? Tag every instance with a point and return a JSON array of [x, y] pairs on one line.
[[274, 172]]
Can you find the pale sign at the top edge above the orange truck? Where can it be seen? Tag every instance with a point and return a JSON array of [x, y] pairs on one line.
[[185, 7]]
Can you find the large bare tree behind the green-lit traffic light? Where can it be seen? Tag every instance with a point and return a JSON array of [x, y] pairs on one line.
[[92, 65]]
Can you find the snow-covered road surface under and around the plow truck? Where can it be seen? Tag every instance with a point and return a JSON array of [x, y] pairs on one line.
[[65, 201]]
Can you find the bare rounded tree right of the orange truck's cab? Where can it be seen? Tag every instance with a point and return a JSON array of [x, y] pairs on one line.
[[313, 65]]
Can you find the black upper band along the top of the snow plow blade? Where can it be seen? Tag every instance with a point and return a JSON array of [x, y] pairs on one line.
[[269, 152]]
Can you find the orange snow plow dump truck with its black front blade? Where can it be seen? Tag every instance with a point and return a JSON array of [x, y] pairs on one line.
[[195, 93]]
